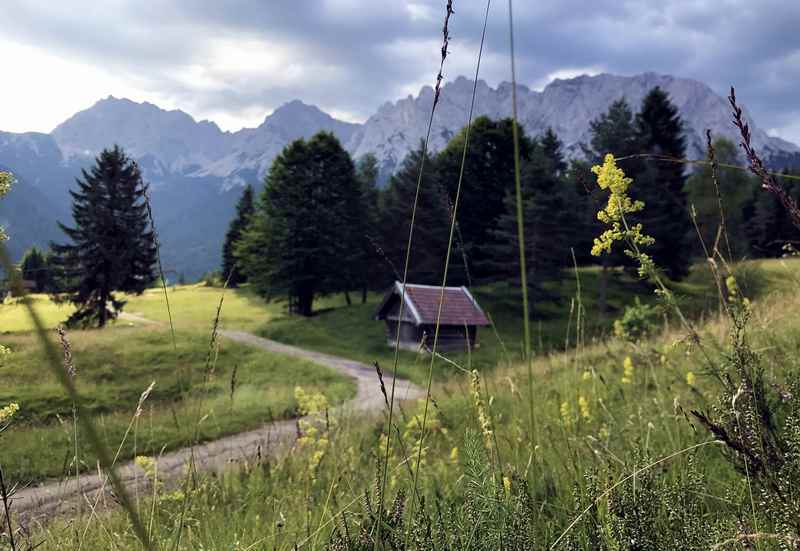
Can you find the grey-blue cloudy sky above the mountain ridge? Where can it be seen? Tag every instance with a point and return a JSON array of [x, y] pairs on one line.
[[234, 61]]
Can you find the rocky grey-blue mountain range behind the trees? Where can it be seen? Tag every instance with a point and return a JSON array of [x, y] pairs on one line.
[[196, 170]]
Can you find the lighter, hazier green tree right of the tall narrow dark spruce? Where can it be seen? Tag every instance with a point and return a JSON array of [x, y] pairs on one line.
[[736, 191]]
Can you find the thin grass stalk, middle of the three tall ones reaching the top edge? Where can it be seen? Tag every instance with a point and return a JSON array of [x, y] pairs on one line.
[[453, 218]]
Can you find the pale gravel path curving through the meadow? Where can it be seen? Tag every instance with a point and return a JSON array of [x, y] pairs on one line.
[[38, 503]]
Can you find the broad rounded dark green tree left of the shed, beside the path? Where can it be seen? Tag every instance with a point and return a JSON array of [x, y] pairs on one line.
[[299, 242]]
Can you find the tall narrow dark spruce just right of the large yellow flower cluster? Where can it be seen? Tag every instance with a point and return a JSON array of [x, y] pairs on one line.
[[661, 184]]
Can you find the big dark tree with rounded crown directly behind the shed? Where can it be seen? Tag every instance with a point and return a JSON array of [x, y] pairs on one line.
[[487, 179]]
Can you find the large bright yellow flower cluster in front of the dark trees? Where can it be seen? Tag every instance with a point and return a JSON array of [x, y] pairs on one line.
[[613, 179]]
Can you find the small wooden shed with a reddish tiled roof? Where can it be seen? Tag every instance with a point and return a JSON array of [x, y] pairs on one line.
[[460, 319]]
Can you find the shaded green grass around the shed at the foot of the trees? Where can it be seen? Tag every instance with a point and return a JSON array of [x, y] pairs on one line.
[[351, 331]]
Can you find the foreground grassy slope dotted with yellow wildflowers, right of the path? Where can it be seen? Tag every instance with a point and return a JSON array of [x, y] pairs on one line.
[[610, 413]]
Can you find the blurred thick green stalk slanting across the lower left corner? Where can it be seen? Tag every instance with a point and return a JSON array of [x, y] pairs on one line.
[[89, 429]]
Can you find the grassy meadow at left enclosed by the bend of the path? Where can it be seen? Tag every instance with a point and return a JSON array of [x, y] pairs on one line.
[[115, 365]]
